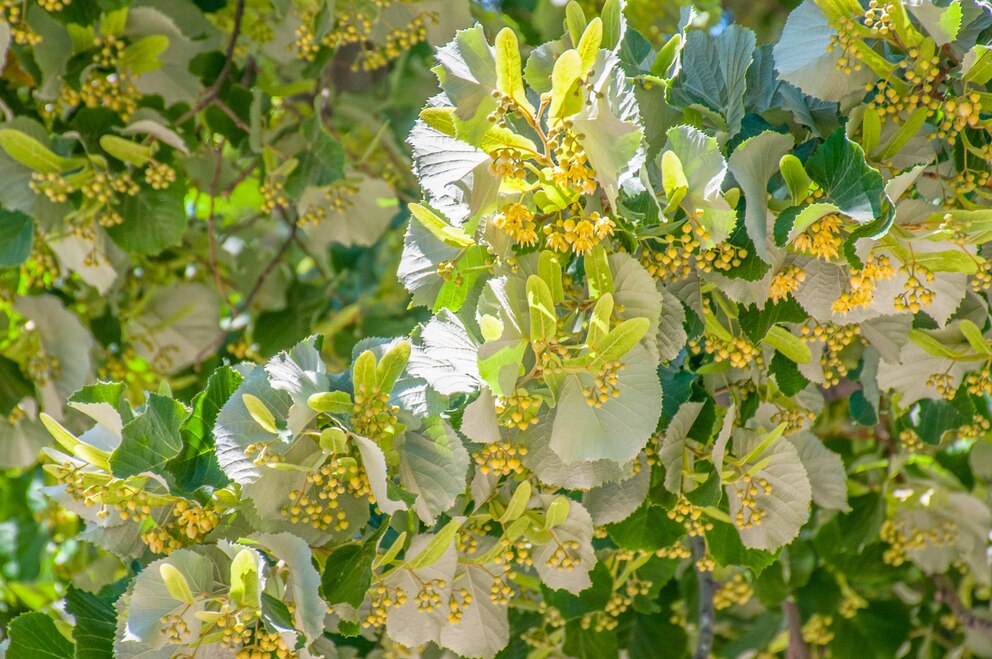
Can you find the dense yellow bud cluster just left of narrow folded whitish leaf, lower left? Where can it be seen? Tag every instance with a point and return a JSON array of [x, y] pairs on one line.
[[317, 502]]
